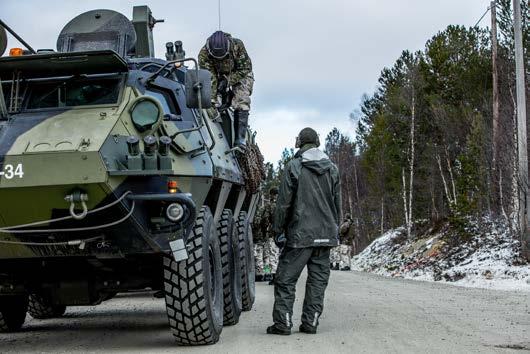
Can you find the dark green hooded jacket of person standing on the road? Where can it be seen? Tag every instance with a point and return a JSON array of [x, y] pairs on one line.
[[308, 208]]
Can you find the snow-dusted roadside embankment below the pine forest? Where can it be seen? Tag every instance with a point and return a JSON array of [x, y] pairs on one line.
[[487, 257]]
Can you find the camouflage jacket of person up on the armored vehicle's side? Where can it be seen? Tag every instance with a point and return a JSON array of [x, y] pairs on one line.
[[235, 67]]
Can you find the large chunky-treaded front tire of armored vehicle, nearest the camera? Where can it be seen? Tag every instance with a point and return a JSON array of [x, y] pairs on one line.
[[194, 287]]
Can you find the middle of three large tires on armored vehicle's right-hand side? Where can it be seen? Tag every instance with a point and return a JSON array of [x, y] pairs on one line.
[[231, 264]]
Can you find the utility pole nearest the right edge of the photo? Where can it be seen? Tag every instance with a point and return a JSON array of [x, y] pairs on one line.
[[521, 129]]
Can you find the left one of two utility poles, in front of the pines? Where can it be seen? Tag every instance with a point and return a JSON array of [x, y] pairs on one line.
[[494, 50]]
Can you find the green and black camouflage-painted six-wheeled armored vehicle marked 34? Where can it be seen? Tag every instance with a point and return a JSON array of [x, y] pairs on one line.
[[116, 174]]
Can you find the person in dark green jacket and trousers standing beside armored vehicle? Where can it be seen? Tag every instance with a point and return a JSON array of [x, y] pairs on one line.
[[306, 223]]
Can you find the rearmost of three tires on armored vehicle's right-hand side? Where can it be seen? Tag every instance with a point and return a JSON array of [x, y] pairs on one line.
[[246, 253]]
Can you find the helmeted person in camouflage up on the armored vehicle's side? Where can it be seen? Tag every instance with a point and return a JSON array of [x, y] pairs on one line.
[[227, 59]]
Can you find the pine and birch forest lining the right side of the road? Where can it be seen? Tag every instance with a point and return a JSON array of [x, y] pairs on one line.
[[431, 144]]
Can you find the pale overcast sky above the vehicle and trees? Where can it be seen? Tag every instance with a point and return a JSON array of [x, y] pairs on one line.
[[313, 60]]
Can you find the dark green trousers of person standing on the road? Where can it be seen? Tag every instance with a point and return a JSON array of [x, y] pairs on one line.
[[292, 262]]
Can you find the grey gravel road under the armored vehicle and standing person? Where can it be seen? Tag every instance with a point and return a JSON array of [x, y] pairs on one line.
[[364, 314]]
